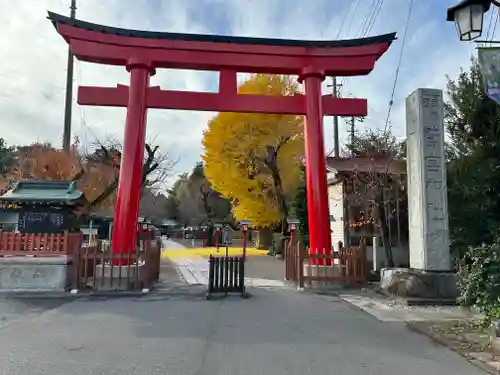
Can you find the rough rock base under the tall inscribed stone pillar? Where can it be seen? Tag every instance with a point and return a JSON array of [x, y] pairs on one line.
[[418, 286]]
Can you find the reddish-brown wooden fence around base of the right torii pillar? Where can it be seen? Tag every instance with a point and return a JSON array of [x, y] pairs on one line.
[[344, 267]]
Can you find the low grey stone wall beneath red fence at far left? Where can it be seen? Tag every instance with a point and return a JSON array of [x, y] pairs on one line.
[[34, 274]]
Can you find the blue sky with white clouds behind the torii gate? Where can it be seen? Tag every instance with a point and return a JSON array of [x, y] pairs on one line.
[[33, 62]]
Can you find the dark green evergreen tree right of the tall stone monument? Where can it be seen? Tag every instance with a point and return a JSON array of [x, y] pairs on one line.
[[473, 123]]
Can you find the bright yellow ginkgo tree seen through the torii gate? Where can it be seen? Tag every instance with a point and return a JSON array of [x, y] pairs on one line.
[[254, 159]]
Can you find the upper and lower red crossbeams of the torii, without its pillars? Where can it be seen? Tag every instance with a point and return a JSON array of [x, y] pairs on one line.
[[228, 55]]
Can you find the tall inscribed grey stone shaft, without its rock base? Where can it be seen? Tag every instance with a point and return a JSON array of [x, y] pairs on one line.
[[427, 191]]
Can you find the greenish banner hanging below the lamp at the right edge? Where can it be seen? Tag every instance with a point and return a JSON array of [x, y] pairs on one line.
[[489, 64]]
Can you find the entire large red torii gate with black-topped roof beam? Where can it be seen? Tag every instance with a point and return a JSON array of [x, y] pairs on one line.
[[142, 52]]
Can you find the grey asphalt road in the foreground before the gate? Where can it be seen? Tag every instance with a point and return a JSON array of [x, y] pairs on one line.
[[274, 333]]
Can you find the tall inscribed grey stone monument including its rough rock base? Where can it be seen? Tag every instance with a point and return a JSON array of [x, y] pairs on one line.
[[430, 275]]
